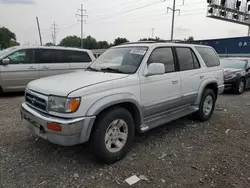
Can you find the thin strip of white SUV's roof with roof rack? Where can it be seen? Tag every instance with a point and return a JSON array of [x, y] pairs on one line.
[[157, 44]]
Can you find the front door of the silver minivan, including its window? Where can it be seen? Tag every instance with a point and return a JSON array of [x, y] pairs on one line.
[[21, 70]]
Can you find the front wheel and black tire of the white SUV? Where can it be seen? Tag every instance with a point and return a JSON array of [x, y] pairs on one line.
[[115, 117]]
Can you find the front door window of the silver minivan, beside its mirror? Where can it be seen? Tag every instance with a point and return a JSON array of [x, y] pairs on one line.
[[21, 57]]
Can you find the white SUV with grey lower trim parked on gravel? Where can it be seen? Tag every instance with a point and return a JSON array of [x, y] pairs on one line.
[[130, 88]]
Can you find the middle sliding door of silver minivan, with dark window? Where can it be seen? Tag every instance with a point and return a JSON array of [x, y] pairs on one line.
[[51, 62]]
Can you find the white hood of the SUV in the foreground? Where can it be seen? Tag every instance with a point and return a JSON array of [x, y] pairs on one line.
[[64, 84]]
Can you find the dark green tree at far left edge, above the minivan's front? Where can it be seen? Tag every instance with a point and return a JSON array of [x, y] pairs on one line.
[[7, 38]]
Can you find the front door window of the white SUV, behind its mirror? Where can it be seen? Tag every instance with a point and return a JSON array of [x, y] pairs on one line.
[[165, 56]]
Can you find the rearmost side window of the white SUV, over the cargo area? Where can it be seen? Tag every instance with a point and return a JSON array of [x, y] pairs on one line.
[[209, 56]]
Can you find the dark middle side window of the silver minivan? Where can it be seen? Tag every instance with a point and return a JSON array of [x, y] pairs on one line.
[[48, 56]]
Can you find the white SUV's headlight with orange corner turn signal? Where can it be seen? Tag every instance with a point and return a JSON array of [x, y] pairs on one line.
[[63, 105]]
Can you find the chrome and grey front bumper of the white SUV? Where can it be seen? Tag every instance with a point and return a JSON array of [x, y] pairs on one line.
[[74, 131]]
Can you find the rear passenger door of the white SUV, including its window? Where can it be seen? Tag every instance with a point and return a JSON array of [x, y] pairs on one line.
[[190, 73]]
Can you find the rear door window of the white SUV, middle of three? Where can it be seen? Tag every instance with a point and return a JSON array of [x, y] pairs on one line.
[[186, 58]]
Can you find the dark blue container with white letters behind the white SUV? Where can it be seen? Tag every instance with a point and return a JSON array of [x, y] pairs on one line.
[[226, 47]]
